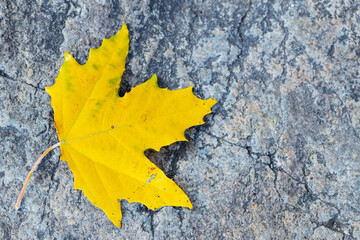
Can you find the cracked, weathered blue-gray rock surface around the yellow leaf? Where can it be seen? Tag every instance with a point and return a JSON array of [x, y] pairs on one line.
[[278, 158]]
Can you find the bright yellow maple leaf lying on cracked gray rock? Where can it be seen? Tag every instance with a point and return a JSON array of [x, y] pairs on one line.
[[103, 136]]
